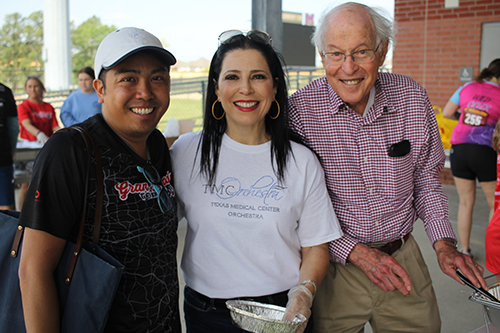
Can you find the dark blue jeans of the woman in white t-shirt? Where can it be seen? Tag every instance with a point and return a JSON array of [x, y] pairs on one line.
[[205, 316]]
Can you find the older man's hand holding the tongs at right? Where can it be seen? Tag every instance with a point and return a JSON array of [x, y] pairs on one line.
[[449, 259]]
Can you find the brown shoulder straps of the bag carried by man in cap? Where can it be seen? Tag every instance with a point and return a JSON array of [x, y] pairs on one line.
[[89, 141]]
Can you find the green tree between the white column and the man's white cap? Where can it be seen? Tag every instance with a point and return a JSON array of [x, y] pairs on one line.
[[85, 40]]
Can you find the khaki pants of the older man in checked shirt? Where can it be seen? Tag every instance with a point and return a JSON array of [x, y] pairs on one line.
[[347, 299]]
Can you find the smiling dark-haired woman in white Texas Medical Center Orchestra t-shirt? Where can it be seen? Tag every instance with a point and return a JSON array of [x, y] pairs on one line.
[[259, 215]]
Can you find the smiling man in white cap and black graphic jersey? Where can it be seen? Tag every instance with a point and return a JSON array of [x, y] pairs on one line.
[[139, 221]]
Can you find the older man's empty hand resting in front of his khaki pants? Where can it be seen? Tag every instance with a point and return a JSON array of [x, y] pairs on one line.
[[381, 269]]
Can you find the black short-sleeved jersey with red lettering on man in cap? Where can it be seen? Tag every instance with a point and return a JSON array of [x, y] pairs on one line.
[[134, 230]]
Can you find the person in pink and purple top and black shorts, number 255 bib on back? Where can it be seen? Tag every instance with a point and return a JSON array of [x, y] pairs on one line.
[[472, 155]]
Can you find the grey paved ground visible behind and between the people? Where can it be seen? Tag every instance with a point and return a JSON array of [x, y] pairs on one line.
[[458, 313]]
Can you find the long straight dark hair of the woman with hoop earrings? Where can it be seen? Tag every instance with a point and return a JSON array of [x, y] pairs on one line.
[[277, 129]]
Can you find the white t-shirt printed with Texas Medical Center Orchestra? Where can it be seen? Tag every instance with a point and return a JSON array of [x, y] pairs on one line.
[[245, 234]]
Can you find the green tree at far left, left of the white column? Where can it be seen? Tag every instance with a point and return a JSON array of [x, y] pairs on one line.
[[21, 48]]
